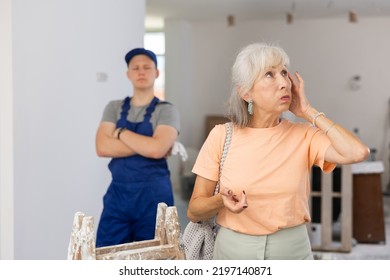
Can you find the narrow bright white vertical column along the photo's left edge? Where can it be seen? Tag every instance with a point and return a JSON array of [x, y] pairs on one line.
[[6, 135]]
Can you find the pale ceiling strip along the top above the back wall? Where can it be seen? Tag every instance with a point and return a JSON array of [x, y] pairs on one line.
[[242, 10]]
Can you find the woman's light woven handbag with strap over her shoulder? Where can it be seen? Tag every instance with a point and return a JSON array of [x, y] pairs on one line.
[[198, 238]]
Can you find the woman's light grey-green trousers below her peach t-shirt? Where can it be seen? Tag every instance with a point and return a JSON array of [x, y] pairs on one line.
[[287, 244]]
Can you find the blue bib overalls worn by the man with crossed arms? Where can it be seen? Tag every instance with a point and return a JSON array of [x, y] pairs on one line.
[[138, 185]]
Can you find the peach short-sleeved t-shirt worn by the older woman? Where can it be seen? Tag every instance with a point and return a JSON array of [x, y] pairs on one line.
[[272, 166]]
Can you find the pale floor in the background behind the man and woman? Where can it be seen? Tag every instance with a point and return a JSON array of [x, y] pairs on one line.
[[360, 251]]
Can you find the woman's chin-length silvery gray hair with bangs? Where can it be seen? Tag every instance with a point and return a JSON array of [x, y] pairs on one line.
[[251, 61]]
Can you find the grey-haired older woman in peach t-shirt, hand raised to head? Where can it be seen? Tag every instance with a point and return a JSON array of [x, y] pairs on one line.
[[263, 205]]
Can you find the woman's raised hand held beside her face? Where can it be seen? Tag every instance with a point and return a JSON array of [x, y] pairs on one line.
[[300, 104]]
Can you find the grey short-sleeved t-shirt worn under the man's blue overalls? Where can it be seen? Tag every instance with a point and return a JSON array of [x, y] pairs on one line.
[[164, 113]]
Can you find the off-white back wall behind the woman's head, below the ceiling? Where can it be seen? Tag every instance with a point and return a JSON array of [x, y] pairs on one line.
[[326, 52]]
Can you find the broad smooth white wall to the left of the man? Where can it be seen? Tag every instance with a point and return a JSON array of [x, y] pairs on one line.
[[58, 49]]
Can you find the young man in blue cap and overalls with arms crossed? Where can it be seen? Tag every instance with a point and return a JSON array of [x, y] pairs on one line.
[[137, 133]]
